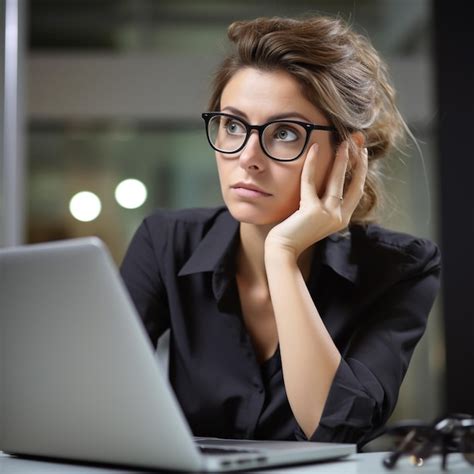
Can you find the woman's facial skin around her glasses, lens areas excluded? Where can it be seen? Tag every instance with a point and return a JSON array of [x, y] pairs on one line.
[[255, 188]]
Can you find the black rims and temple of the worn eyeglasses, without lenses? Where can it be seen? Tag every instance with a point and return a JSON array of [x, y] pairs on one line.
[[309, 127]]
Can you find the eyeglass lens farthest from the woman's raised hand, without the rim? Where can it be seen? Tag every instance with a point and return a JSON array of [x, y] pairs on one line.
[[227, 134]]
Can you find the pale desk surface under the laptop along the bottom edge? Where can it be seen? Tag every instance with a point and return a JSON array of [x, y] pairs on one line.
[[364, 463]]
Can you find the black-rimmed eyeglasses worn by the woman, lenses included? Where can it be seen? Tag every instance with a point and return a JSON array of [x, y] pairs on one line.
[[281, 140]]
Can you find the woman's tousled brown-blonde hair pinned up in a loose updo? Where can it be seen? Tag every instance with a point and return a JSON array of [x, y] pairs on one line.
[[339, 71]]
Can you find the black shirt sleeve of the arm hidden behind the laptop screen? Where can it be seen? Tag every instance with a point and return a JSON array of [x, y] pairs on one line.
[[142, 277]]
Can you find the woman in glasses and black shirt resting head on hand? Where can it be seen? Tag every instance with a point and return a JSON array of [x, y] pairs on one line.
[[292, 316]]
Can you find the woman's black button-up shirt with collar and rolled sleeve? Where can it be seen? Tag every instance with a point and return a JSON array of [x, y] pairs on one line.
[[373, 288]]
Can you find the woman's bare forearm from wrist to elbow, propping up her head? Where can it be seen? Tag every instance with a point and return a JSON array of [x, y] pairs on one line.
[[309, 356]]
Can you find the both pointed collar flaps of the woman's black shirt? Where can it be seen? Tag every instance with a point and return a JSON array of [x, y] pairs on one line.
[[217, 249]]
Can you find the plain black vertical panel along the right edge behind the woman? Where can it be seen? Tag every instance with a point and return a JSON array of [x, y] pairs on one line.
[[454, 59]]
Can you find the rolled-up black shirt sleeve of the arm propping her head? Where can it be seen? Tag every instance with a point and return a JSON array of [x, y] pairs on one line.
[[366, 385]]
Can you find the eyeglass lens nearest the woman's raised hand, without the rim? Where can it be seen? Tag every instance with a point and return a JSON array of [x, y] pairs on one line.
[[284, 140]]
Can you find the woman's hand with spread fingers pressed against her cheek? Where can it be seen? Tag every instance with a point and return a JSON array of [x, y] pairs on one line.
[[318, 217]]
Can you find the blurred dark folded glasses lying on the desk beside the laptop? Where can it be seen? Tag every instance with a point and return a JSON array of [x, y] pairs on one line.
[[450, 434]]
